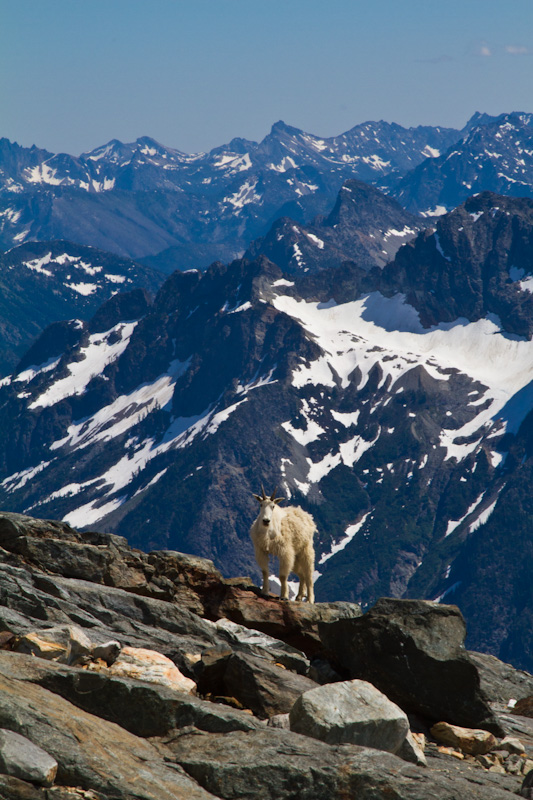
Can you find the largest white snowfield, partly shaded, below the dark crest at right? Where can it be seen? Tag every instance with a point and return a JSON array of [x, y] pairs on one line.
[[361, 333]]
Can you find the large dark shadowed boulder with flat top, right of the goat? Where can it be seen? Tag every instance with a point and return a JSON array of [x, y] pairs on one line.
[[413, 651]]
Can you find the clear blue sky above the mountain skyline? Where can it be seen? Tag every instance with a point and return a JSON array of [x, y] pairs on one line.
[[195, 73]]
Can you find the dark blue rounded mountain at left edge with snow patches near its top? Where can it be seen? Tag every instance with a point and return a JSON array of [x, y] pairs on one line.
[[46, 282]]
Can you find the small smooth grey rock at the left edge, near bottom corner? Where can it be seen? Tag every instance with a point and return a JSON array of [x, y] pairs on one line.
[[23, 759]]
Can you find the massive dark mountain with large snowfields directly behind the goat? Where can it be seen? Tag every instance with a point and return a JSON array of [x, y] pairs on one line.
[[393, 404]]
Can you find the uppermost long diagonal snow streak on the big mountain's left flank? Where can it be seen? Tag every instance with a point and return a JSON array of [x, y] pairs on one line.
[[97, 355]]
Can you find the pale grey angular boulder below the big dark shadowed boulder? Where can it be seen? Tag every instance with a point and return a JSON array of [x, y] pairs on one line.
[[353, 712]]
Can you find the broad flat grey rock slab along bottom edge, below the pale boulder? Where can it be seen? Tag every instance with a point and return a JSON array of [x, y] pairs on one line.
[[267, 764]]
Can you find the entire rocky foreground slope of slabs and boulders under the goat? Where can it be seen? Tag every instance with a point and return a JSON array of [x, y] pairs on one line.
[[131, 675]]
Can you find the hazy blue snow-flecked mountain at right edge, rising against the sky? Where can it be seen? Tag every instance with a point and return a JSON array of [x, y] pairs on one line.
[[496, 155]]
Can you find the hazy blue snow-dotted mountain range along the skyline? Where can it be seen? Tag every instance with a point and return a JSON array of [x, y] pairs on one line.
[[173, 210]]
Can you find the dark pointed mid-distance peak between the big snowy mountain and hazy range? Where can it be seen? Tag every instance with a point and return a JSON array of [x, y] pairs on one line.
[[364, 226]]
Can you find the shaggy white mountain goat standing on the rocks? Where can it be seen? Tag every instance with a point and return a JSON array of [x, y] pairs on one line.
[[288, 534]]
